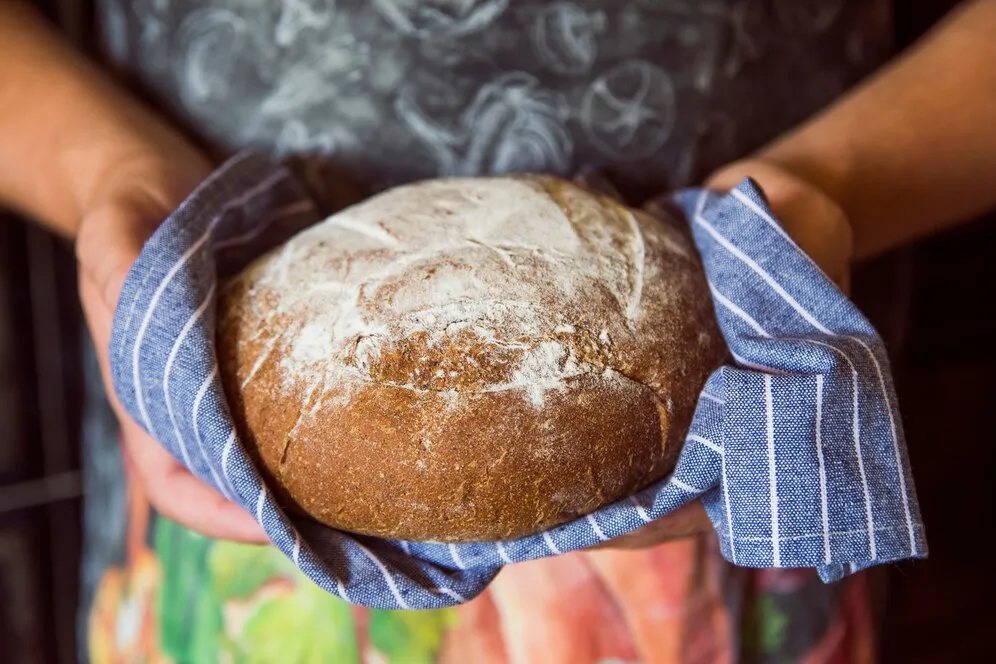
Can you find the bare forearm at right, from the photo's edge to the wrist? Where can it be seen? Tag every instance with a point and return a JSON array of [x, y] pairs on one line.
[[913, 150]]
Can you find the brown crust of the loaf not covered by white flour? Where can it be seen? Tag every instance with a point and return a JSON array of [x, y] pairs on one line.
[[437, 436]]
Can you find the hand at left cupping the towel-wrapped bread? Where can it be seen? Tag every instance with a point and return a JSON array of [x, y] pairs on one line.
[[129, 201]]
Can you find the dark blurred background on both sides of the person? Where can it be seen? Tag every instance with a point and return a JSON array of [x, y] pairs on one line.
[[944, 353]]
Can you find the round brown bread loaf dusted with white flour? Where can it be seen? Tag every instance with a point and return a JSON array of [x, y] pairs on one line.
[[468, 359]]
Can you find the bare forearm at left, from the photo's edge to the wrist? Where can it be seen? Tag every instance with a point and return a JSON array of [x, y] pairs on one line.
[[64, 127]]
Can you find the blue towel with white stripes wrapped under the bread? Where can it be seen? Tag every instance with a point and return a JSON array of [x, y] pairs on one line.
[[796, 448]]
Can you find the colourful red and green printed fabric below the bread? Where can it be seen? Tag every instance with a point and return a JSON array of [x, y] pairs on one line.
[[179, 597]]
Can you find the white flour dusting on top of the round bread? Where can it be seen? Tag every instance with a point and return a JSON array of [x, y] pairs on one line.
[[518, 265]]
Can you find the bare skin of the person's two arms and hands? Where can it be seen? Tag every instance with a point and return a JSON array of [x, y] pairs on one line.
[[909, 152]]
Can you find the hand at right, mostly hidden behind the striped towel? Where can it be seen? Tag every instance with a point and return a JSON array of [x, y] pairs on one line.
[[820, 227]]
